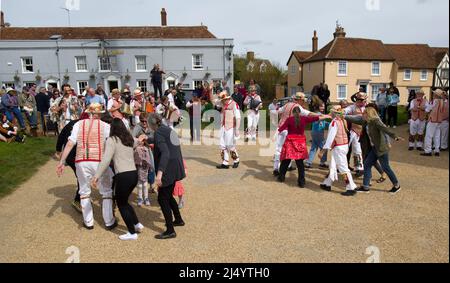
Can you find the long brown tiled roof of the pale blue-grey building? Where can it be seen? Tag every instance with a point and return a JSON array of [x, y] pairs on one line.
[[166, 32]]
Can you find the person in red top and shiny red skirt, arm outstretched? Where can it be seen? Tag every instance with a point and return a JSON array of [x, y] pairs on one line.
[[295, 147]]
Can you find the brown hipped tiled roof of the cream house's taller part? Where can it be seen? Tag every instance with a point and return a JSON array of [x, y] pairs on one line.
[[344, 48]]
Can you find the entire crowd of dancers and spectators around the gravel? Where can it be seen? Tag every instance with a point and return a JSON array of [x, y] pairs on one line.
[[124, 140]]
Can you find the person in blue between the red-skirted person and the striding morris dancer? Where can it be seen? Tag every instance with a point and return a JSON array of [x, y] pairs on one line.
[[318, 140]]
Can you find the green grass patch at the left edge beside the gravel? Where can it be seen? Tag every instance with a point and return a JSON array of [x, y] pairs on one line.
[[19, 162]]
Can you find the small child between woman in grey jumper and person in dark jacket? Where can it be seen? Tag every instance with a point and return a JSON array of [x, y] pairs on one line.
[[142, 159]]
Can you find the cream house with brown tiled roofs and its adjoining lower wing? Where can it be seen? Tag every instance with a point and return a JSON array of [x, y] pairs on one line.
[[348, 64]]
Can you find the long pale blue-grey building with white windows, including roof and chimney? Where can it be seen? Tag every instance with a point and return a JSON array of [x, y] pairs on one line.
[[113, 56]]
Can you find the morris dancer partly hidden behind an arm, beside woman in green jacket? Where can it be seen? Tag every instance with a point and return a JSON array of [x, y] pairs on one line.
[[357, 109]]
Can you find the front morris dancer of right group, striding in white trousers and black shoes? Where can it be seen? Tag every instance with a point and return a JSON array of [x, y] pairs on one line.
[[337, 142]]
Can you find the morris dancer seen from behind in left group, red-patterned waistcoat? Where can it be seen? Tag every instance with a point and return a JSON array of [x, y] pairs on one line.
[[90, 135]]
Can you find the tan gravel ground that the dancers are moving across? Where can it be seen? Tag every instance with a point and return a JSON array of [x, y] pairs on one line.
[[243, 215]]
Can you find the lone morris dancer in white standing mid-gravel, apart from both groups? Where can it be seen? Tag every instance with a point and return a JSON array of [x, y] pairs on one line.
[[229, 131]]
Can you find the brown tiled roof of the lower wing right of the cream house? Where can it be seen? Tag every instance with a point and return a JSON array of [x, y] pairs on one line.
[[415, 56]]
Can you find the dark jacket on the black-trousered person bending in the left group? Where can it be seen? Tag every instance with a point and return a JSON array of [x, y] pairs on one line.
[[168, 157]]
